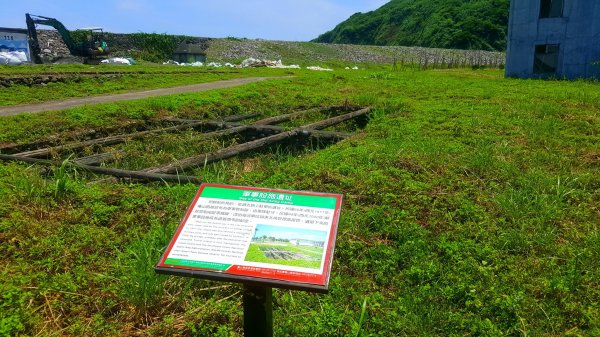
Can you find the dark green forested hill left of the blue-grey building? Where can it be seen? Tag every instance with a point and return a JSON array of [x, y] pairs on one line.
[[458, 24]]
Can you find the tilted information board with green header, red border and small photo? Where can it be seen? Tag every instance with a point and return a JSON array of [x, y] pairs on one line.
[[262, 236]]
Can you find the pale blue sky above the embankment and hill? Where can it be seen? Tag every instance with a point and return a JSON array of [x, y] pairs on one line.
[[293, 20]]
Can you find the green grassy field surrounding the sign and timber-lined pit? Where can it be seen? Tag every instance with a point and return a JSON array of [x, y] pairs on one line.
[[471, 207]]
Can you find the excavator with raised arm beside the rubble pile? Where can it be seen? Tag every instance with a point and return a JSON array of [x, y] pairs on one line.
[[93, 49]]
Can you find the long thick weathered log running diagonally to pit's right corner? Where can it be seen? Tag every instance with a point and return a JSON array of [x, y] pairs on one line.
[[235, 150]]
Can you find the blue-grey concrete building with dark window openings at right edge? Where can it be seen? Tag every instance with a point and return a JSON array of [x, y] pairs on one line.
[[554, 38]]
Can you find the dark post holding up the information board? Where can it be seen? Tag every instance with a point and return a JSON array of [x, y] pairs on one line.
[[258, 311]]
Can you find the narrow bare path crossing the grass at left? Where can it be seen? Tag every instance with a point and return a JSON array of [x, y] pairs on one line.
[[70, 103]]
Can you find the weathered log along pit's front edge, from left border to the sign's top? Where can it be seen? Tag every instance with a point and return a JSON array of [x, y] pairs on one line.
[[126, 174]]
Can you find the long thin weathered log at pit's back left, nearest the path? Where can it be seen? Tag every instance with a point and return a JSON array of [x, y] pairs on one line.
[[117, 139]]
